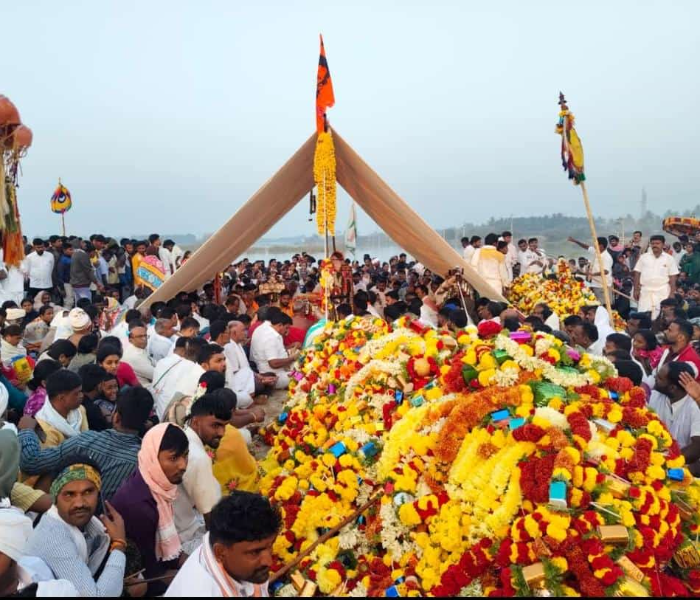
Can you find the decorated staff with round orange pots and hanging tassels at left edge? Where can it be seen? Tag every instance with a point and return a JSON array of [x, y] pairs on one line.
[[15, 139]]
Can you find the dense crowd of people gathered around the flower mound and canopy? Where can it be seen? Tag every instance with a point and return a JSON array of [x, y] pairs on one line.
[[126, 425]]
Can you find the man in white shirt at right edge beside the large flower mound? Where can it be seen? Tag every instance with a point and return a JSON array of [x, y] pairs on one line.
[[679, 412]]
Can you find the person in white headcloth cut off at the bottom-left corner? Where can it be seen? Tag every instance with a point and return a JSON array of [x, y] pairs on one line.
[[20, 573]]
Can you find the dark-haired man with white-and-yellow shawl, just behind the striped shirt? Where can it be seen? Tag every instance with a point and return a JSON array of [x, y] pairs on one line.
[[62, 416]]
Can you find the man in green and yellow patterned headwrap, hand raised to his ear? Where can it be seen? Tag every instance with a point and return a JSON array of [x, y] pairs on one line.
[[73, 542]]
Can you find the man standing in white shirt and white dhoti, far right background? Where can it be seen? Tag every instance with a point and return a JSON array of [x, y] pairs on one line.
[[655, 276]]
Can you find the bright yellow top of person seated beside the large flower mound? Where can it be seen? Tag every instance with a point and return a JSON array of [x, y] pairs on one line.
[[234, 467]]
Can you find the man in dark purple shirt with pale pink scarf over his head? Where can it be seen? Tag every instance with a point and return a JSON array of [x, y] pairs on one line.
[[146, 499]]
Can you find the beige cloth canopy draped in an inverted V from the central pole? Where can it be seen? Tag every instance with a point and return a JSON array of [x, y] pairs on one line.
[[286, 188]]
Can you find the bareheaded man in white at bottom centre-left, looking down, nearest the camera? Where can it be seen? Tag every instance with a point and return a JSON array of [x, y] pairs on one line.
[[235, 557]]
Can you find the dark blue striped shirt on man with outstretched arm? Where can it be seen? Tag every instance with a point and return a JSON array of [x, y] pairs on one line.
[[115, 453]]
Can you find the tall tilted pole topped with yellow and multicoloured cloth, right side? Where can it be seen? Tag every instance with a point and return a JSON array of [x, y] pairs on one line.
[[572, 161]]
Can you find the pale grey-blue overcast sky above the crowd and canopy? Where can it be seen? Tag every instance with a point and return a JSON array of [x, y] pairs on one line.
[[168, 115]]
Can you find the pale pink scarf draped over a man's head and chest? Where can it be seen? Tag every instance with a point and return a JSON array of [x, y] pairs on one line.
[[167, 539]]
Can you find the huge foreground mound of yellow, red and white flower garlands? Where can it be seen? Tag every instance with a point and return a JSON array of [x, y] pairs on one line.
[[501, 465]]
